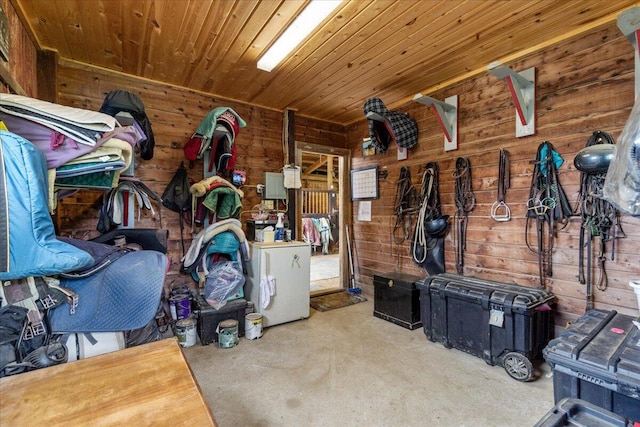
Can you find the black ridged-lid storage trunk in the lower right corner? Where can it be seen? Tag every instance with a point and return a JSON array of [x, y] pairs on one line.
[[597, 359]]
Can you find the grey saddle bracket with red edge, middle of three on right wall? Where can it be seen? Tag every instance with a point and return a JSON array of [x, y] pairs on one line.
[[522, 86]]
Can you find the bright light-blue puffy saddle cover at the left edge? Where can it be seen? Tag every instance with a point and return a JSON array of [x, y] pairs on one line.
[[28, 245]]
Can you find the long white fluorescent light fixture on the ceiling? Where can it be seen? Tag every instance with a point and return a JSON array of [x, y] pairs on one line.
[[312, 15]]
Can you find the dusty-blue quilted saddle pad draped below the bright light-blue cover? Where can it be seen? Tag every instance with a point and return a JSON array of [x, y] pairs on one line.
[[123, 295]]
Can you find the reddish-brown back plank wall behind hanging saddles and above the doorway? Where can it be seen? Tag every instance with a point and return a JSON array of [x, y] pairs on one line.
[[175, 113]]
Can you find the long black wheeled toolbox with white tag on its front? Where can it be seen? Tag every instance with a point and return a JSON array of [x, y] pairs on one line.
[[502, 323]]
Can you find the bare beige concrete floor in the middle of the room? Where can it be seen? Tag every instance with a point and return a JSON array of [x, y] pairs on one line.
[[346, 367]]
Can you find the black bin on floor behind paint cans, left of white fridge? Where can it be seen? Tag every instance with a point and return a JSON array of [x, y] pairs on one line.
[[208, 317]]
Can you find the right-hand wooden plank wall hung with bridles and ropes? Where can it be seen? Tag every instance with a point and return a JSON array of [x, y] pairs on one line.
[[582, 86]]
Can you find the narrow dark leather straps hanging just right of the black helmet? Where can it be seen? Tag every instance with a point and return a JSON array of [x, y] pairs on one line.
[[465, 202]]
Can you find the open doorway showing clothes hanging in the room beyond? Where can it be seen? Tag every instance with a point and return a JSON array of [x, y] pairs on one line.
[[322, 208]]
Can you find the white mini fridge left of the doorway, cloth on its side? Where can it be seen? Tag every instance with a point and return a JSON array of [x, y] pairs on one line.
[[288, 263]]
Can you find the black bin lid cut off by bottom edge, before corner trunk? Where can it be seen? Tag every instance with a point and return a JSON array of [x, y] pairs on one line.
[[579, 413]]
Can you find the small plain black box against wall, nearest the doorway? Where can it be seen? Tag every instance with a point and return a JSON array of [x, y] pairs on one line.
[[397, 299]]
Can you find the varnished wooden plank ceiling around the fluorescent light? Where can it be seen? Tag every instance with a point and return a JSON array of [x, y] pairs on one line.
[[388, 49]]
